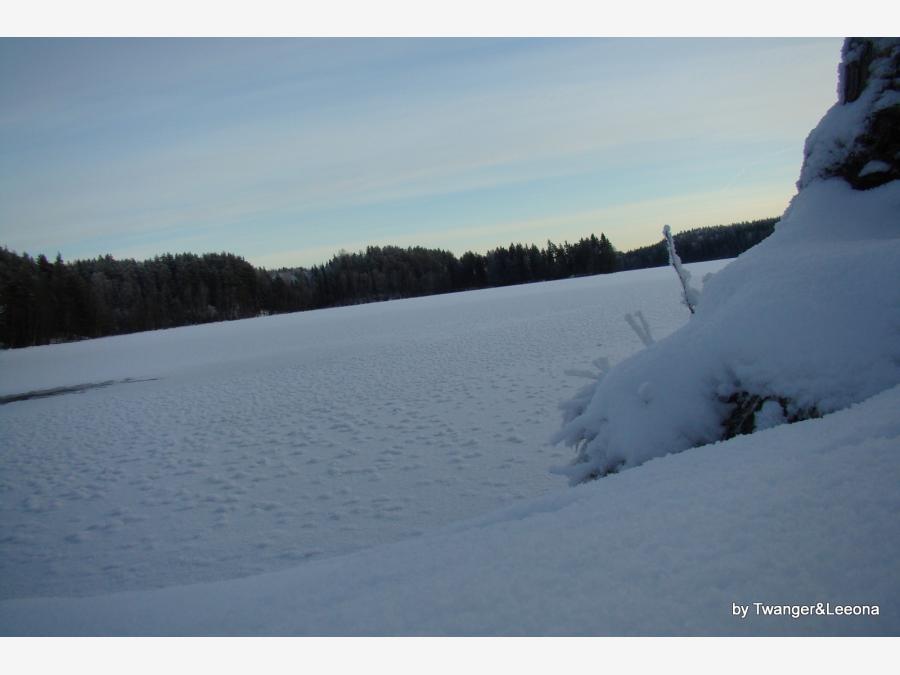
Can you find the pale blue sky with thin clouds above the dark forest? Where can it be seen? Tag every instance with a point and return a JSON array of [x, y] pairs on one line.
[[285, 151]]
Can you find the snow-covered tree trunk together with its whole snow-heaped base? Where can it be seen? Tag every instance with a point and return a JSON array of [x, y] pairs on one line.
[[804, 324]]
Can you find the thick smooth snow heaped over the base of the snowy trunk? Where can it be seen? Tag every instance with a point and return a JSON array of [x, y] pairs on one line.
[[810, 314]]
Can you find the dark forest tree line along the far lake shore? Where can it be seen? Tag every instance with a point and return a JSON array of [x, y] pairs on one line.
[[43, 302]]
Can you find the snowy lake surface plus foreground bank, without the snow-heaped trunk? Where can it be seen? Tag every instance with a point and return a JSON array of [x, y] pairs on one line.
[[383, 469]]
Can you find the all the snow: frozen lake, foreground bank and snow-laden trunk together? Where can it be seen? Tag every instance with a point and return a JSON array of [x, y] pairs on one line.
[[381, 470]]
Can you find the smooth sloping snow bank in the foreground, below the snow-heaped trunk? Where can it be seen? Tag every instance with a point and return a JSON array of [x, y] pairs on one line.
[[799, 514]]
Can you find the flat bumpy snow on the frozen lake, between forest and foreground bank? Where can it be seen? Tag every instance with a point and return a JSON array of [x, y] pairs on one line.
[[258, 445]]
